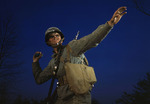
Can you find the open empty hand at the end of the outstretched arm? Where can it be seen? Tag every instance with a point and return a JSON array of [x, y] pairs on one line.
[[117, 16]]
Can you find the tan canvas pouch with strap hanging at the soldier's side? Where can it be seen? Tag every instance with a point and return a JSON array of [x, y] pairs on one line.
[[80, 77]]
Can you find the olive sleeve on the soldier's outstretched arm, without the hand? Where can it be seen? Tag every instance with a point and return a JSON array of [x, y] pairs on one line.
[[92, 40]]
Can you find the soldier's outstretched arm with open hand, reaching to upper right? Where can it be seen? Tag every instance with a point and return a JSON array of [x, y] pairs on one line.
[[82, 45]]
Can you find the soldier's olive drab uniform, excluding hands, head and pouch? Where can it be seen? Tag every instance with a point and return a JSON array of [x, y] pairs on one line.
[[79, 47]]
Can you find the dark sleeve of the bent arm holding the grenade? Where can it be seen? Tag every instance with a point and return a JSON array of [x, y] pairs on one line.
[[40, 75]]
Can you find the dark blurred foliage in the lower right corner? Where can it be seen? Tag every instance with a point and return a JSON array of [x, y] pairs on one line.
[[140, 94]]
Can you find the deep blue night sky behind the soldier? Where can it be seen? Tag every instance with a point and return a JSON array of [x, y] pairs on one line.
[[120, 60]]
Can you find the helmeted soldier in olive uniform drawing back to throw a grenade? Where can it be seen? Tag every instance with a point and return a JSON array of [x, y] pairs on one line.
[[54, 38]]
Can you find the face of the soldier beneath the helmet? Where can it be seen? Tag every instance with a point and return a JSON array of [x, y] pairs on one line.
[[54, 38]]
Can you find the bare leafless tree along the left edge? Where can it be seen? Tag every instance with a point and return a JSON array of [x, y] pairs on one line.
[[9, 62]]
